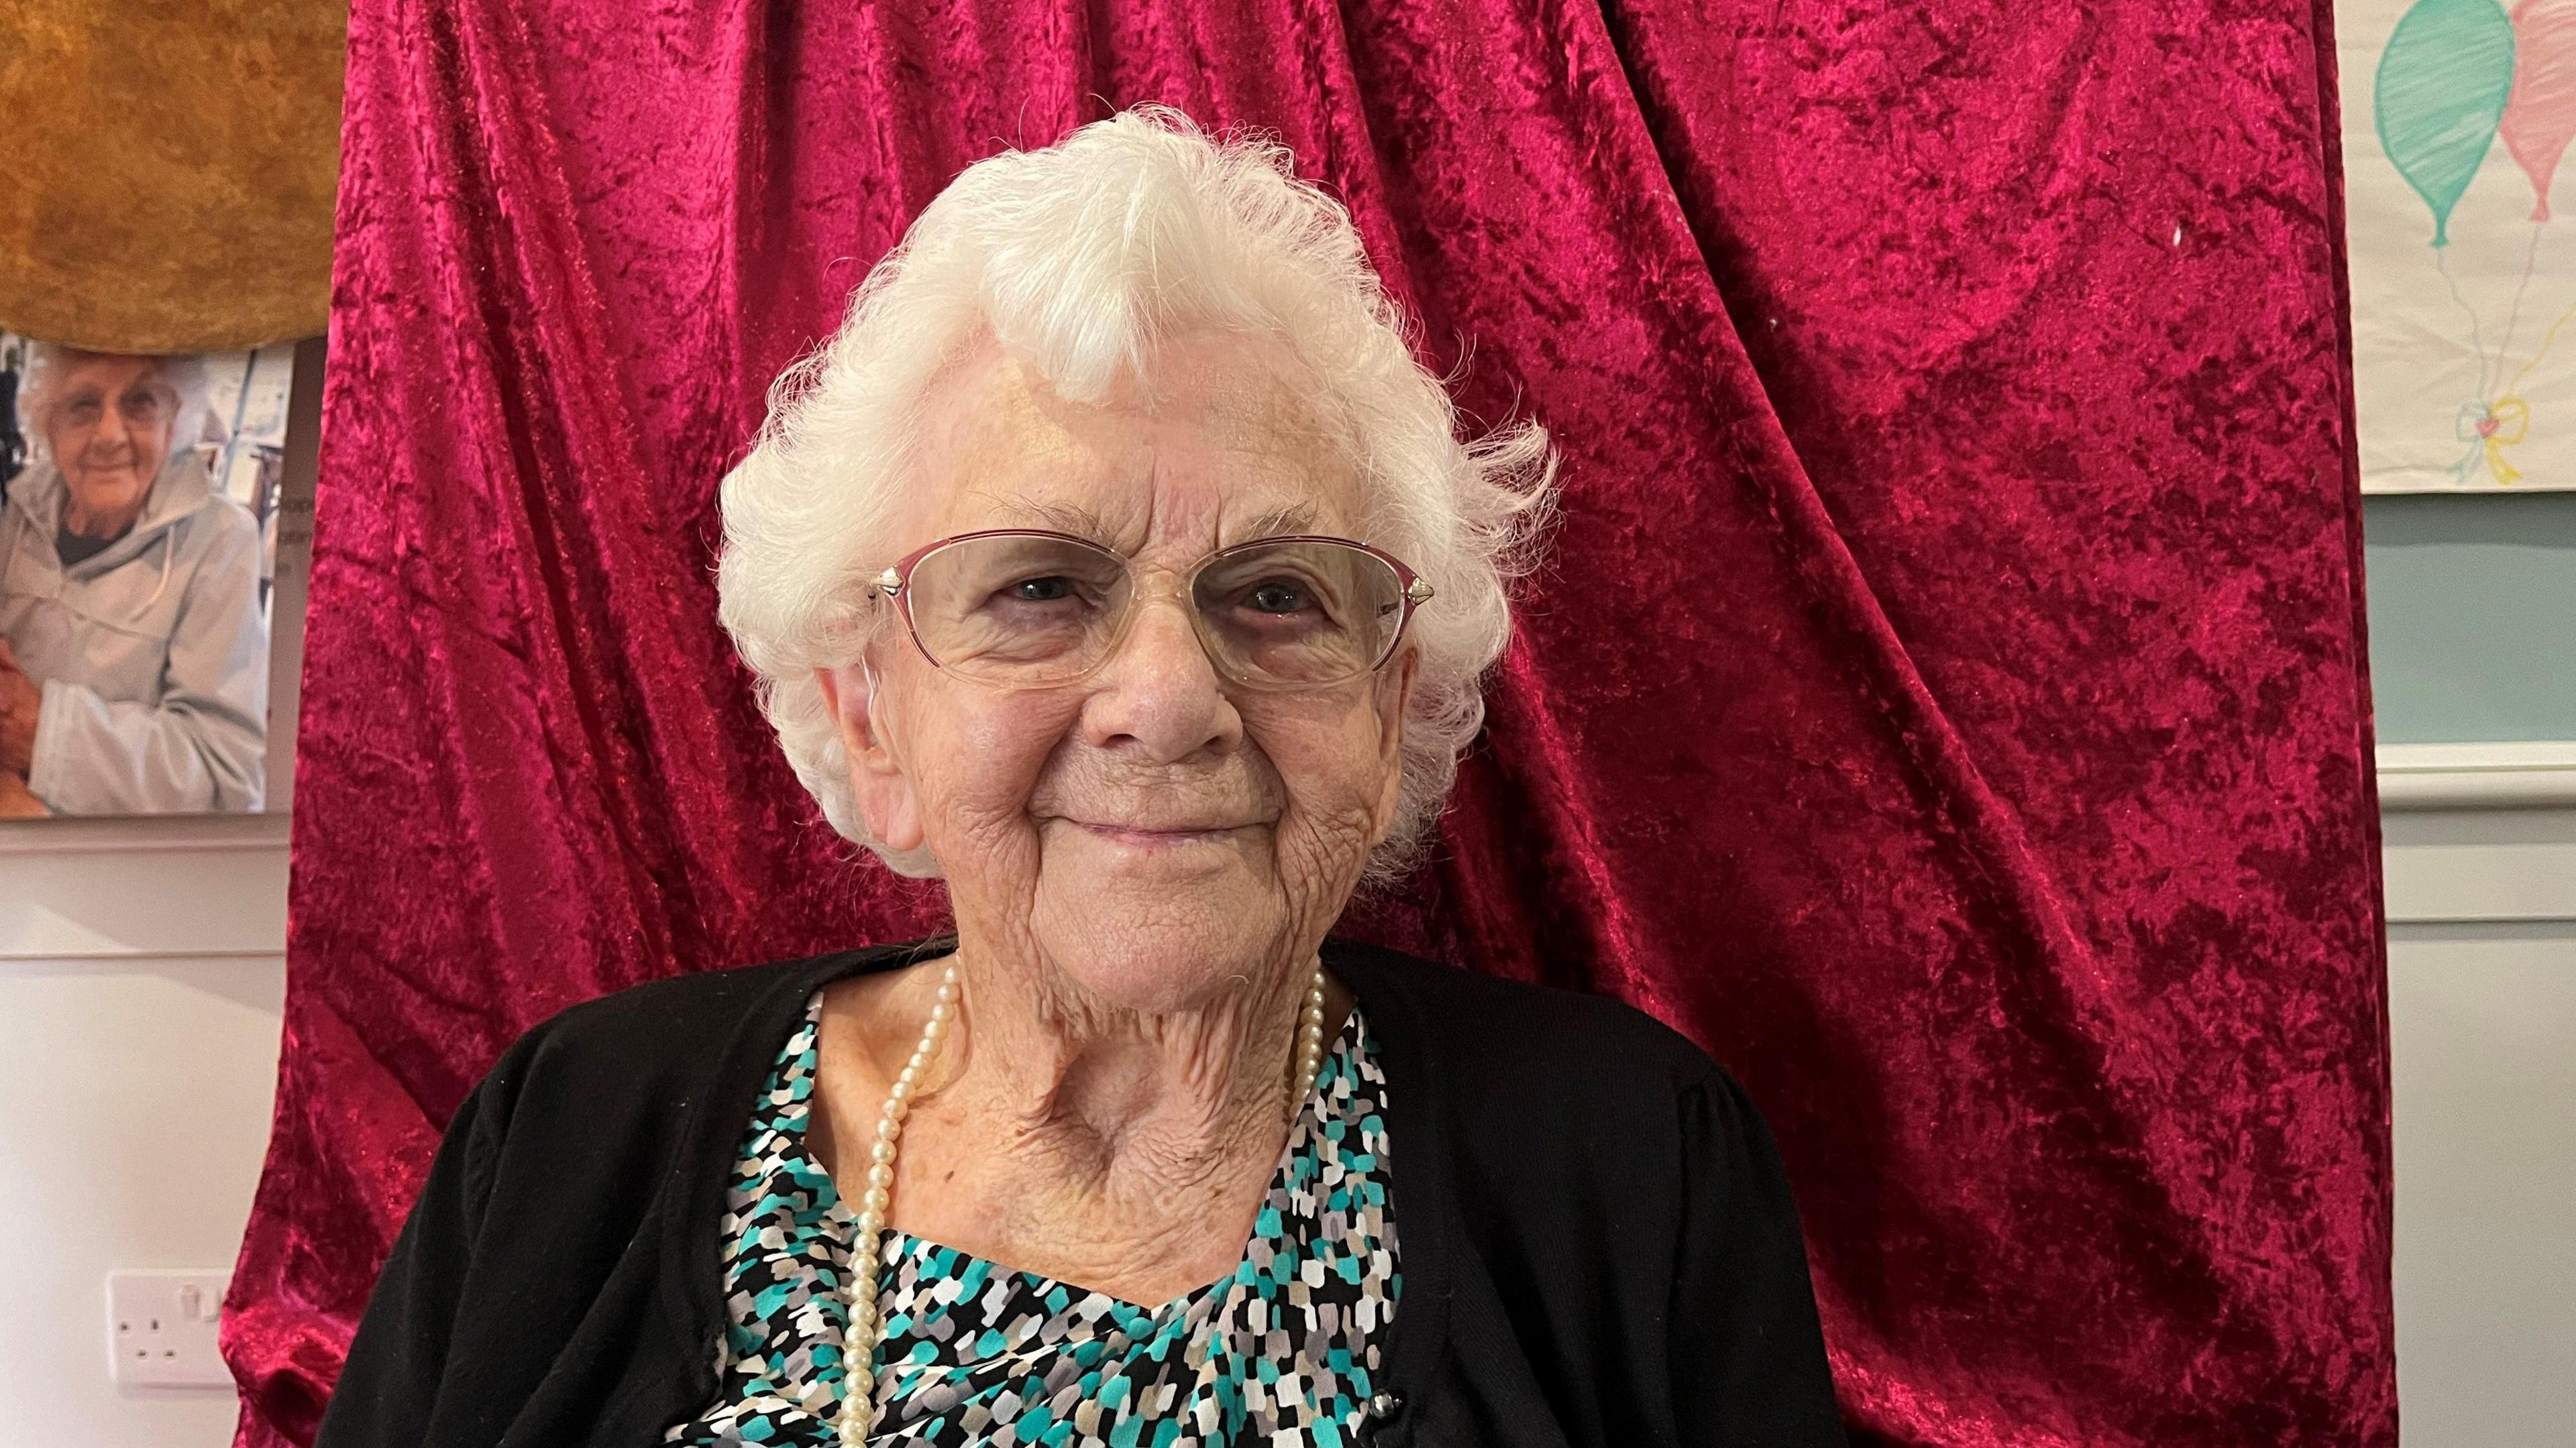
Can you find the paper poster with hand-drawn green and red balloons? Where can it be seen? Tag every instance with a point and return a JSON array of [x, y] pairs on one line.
[[2464, 272]]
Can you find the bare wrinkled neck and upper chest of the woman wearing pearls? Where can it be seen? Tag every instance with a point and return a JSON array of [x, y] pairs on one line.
[[1070, 1138]]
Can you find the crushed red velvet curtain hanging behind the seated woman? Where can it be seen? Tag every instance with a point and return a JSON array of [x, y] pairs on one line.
[[1946, 700]]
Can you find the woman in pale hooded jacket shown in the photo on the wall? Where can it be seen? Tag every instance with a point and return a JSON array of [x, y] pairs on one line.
[[133, 651]]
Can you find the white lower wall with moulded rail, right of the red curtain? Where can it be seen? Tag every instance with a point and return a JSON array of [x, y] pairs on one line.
[[2482, 1019]]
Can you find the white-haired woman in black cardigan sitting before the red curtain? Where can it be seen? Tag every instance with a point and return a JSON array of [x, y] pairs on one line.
[[1119, 568]]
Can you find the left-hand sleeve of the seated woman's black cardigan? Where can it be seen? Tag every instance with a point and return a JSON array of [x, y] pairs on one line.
[[388, 1393]]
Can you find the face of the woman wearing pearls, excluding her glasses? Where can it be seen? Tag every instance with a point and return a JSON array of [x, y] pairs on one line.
[[1150, 828]]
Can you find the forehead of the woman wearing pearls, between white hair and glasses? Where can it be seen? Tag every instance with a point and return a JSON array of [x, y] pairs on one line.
[[1225, 439]]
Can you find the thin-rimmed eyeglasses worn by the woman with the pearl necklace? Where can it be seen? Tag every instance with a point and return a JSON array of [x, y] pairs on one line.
[[1024, 607]]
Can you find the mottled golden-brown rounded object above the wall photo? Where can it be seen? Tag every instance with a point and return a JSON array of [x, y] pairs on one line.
[[169, 171]]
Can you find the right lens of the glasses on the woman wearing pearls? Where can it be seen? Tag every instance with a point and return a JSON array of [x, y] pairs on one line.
[[1300, 612]]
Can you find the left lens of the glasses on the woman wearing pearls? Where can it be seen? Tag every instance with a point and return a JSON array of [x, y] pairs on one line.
[[1019, 609]]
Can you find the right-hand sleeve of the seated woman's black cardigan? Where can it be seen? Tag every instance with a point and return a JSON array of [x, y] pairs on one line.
[[1748, 1351]]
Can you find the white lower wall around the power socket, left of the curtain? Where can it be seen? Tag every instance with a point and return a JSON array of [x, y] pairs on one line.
[[140, 983]]
